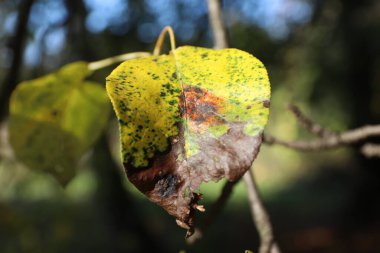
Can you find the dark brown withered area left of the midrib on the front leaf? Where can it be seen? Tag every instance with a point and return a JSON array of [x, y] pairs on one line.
[[163, 183]]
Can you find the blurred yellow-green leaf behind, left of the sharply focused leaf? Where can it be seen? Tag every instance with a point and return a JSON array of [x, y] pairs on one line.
[[54, 119]]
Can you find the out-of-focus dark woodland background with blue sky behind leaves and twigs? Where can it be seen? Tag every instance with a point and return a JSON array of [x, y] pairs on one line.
[[322, 55]]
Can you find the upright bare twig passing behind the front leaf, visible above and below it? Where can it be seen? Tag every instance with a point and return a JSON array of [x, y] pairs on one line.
[[259, 214]]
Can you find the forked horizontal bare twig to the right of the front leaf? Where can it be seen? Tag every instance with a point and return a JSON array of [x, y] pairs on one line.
[[329, 140]]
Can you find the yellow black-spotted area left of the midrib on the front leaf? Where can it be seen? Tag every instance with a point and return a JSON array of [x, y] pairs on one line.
[[146, 102]]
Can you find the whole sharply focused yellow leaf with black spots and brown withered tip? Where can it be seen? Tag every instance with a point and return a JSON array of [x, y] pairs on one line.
[[189, 117]]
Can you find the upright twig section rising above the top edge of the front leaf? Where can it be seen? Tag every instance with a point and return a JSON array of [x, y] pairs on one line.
[[216, 21]]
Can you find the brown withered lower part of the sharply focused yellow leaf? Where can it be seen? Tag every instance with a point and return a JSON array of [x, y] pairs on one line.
[[172, 183]]
